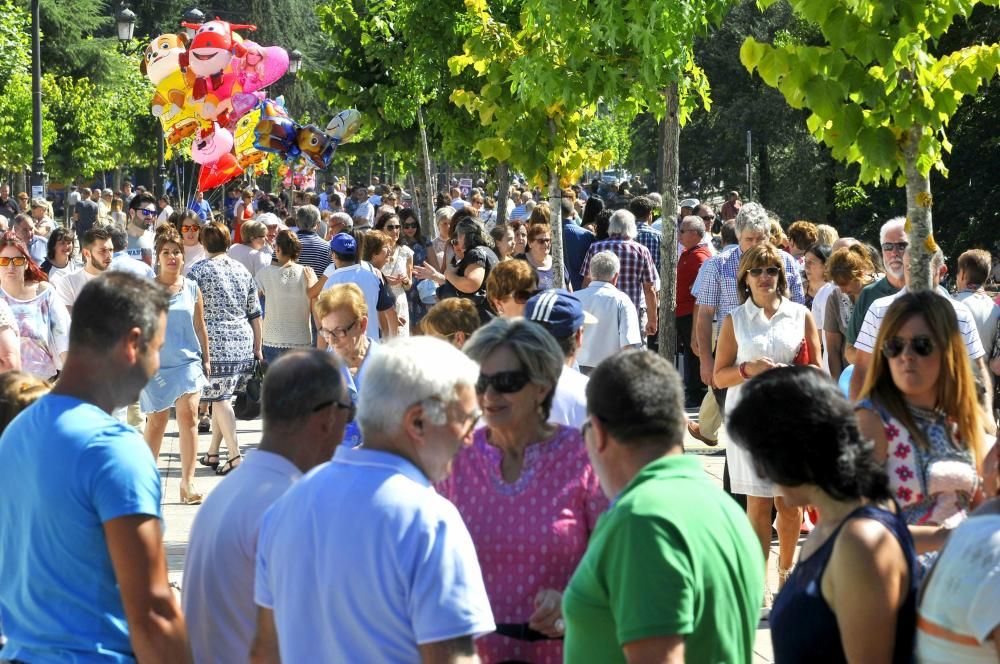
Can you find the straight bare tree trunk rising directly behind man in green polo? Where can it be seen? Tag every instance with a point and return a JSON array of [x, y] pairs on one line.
[[670, 168]]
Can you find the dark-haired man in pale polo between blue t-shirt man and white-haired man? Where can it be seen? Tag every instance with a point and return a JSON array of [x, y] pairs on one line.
[[305, 409]]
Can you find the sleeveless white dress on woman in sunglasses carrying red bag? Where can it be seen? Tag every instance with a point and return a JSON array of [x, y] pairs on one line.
[[779, 339]]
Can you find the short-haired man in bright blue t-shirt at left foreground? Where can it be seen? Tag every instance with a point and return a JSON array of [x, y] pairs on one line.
[[83, 576]]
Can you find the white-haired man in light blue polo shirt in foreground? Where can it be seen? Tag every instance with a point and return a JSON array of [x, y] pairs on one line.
[[391, 574]]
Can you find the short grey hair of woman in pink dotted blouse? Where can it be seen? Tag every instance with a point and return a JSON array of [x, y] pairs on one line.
[[536, 350]]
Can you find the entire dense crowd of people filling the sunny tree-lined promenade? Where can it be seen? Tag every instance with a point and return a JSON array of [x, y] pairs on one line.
[[459, 460]]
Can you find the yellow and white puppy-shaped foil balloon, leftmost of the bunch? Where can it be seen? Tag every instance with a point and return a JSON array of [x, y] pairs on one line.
[[161, 65]]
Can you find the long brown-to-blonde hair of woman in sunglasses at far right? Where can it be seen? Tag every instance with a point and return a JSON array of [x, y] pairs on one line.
[[956, 388]]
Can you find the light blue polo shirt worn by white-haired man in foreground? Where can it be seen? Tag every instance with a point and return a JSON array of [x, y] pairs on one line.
[[363, 561]]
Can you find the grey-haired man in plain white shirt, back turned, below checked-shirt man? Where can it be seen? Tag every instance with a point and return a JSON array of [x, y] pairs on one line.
[[617, 325]]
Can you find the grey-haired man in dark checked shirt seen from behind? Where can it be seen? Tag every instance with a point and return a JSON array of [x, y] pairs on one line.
[[638, 277]]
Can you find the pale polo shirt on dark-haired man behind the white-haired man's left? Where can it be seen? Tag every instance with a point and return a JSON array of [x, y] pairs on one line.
[[221, 558]]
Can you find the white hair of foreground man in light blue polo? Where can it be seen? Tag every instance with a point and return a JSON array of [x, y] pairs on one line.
[[409, 371]]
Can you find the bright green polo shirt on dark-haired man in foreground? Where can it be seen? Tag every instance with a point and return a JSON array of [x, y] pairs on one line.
[[673, 556]]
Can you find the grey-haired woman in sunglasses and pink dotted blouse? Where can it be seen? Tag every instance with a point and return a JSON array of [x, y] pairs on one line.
[[526, 491]]
